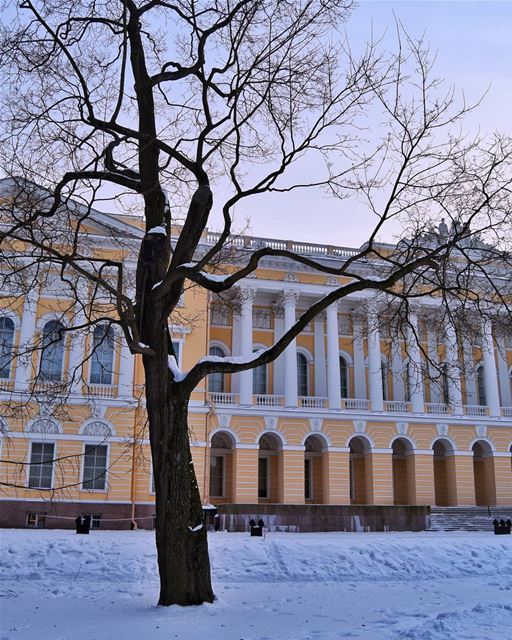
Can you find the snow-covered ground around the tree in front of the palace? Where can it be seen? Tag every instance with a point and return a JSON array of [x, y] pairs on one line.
[[419, 586]]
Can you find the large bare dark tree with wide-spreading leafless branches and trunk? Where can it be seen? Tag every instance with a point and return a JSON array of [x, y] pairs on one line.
[[150, 103]]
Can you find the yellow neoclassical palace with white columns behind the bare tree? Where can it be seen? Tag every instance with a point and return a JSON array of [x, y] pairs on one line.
[[348, 414]]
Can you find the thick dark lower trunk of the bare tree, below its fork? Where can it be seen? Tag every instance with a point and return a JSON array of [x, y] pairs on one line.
[[181, 539]]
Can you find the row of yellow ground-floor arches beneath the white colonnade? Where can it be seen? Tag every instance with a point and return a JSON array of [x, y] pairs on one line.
[[271, 471]]
